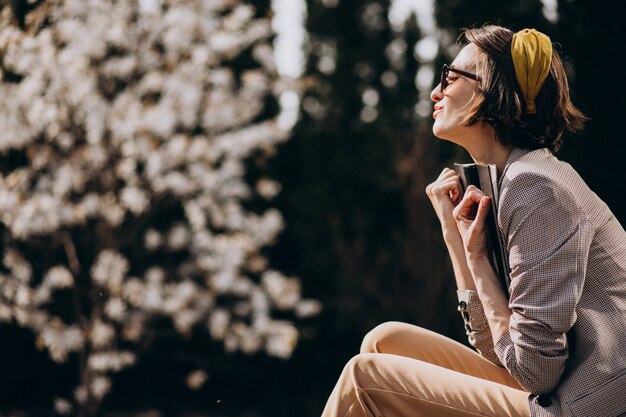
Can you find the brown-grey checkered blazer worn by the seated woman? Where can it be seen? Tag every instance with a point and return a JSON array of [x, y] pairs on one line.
[[566, 343]]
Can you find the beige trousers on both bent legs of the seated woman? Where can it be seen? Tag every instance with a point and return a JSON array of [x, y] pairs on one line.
[[407, 371]]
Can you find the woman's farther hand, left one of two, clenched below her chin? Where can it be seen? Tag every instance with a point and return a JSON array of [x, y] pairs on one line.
[[444, 193]]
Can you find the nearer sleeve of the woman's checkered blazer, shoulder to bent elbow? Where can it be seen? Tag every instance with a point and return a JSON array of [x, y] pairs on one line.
[[548, 238]]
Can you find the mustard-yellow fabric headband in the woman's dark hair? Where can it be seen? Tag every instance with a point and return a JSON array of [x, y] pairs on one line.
[[532, 56]]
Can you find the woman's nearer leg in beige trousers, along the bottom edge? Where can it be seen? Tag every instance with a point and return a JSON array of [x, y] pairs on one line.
[[395, 386]]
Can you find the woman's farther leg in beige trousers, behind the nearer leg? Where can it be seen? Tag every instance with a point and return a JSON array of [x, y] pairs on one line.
[[425, 345]]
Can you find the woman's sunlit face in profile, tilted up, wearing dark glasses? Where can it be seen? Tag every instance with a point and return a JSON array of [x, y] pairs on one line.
[[451, 105]]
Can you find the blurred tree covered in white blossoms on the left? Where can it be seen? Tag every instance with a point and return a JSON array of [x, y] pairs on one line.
[[125, 127]]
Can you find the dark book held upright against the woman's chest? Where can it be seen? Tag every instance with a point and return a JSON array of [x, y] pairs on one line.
[[485, 178]]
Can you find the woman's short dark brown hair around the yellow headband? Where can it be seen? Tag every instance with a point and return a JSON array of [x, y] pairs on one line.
[[502, 105]]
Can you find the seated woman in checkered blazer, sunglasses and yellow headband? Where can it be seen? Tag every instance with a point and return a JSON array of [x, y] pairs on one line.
[[554, 345]]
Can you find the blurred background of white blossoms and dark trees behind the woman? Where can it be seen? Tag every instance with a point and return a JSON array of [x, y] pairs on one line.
[[205, 205]]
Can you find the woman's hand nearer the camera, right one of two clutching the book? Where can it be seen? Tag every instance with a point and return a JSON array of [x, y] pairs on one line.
[[470, 215]]
